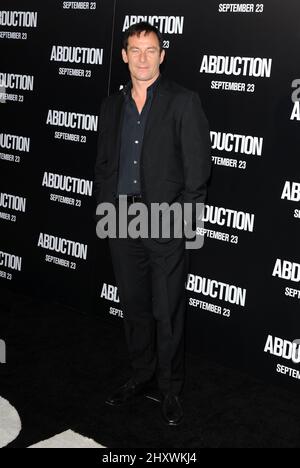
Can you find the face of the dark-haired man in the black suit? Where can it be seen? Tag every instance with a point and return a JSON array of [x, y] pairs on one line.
[[143, 56]]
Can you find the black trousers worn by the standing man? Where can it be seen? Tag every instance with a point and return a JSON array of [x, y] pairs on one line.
[[151, 277]]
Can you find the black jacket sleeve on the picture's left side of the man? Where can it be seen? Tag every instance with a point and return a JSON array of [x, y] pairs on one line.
[[101, 158]]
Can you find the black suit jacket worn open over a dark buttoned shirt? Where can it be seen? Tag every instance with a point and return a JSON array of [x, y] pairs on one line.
[[175, 158]]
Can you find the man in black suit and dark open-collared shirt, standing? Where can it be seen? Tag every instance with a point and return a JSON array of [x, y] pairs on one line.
[[154, 147]]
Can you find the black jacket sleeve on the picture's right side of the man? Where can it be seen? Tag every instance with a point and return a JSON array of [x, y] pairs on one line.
[[195, 150]]
